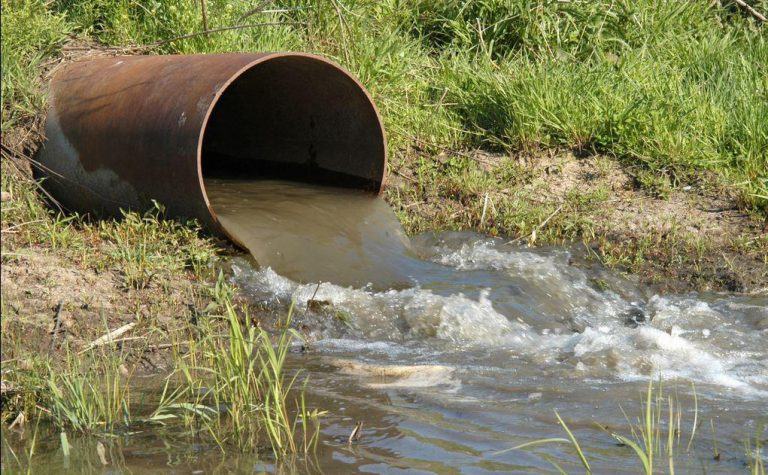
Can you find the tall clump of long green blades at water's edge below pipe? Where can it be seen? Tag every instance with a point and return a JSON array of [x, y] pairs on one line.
[[242, 374]]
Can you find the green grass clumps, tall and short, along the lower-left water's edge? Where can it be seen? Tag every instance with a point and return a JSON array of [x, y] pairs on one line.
[[230, 386]]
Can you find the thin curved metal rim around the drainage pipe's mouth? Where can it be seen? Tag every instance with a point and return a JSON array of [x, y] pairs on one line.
[[223, 88]]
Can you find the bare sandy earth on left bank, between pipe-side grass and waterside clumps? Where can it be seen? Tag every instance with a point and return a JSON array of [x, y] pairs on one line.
[[53, 303]]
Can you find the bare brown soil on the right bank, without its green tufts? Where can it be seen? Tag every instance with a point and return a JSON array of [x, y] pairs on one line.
[[677, 239]]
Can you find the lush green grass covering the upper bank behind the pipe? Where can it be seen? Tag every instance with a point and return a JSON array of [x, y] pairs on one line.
[[673, 88]]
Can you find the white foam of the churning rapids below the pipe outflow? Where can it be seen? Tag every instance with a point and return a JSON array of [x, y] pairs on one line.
[[683, 337]]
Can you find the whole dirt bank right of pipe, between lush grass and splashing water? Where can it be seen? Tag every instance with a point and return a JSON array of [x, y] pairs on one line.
[[674, 237]]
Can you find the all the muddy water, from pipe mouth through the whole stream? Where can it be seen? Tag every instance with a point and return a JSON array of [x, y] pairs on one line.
[[473, 348]]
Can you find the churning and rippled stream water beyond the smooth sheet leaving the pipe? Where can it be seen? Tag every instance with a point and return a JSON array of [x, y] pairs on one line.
[[477, 357]]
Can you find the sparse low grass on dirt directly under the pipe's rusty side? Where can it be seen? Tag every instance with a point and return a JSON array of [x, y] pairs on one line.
[[145, 248]]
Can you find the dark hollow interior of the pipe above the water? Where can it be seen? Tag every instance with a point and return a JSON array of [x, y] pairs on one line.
[[295, 118]]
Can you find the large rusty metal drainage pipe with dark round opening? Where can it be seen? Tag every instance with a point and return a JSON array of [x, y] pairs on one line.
[[124, 131]]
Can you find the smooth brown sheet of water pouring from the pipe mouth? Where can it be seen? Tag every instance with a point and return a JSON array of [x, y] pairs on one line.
[[313, 233]]
